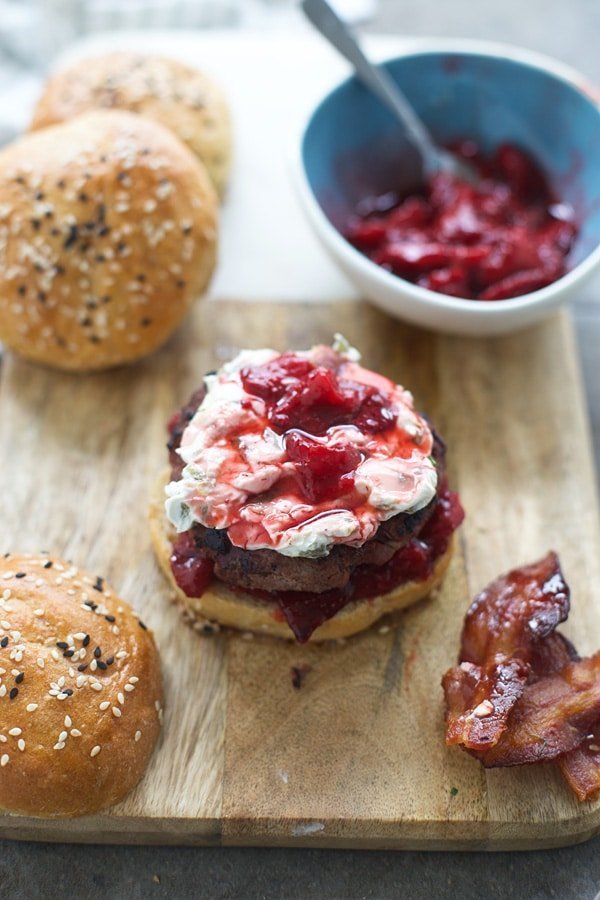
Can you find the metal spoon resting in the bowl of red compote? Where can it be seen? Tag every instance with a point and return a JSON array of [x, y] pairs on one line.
[[434, 158]]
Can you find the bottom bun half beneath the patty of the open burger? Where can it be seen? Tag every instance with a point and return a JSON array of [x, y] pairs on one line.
[[219, 604]]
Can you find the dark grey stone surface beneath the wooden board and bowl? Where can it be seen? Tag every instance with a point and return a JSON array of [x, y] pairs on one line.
[[569, 31]]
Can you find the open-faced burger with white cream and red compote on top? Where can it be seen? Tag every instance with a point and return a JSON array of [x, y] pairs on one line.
[[306, 498]]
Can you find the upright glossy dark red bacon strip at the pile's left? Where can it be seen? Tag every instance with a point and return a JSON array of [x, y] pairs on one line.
[[503, 629]]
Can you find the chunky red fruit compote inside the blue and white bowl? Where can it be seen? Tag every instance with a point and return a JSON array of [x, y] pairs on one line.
[[504, 237]]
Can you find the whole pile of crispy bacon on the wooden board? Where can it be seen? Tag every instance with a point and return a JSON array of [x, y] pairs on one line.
[[521, 694]]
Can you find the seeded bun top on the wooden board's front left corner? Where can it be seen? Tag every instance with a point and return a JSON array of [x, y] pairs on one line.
[[71, 741]]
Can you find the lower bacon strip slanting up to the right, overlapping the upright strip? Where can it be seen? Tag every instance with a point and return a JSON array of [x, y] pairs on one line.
[[553, 716]]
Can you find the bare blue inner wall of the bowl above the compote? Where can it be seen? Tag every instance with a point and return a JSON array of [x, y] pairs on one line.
[[352, 146]]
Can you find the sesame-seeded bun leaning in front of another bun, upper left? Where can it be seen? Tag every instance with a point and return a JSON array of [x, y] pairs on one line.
[[107, 235]]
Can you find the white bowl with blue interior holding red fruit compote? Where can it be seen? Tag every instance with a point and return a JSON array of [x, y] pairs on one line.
[[478, 258]]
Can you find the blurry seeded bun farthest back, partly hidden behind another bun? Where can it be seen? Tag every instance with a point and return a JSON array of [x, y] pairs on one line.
[[178, 96]]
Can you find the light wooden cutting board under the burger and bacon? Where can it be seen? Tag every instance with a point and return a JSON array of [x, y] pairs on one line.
[[356, 756]]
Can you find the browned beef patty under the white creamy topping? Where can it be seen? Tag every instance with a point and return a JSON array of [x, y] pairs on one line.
[[268, 570]]
